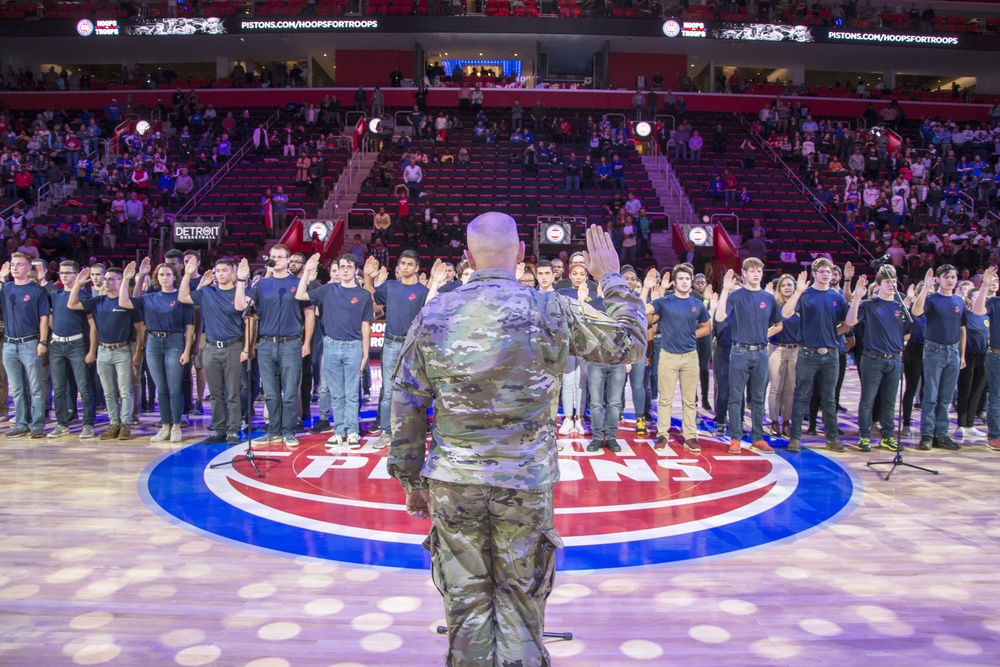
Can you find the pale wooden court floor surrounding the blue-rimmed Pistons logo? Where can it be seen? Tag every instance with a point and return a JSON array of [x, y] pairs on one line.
[[90, 574]]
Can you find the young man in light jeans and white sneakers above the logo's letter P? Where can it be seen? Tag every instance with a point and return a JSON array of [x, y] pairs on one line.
[[346, 313]]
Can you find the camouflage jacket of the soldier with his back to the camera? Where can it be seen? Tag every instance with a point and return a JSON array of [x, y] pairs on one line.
[[490, 355]]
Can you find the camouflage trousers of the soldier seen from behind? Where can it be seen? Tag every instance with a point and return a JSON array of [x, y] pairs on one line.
[[493, 561]]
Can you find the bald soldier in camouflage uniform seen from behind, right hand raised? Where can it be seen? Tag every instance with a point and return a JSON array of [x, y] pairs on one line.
[[490, 355]]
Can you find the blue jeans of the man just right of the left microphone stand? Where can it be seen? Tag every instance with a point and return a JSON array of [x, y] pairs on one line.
[[280, 373]]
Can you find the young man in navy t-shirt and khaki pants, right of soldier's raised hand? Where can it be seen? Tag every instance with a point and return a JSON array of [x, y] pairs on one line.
[[683, 319]]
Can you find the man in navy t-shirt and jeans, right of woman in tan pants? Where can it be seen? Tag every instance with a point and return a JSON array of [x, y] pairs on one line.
[[822, 312]]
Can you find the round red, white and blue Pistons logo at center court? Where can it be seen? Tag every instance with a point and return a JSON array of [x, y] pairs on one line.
[[637, 507]]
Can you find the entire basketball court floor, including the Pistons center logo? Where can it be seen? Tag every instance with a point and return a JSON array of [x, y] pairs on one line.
[[132, 553]]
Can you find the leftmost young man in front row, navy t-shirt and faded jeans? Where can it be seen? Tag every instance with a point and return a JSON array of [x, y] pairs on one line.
[[26, 311]]
